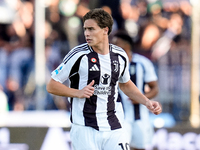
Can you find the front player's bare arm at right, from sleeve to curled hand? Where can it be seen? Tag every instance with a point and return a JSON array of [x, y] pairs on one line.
[[133, 93]]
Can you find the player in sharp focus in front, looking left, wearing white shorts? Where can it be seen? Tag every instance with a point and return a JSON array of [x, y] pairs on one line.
[[95, 69]]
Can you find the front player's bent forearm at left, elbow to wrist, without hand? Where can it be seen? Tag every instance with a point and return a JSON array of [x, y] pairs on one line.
[[60, 89]]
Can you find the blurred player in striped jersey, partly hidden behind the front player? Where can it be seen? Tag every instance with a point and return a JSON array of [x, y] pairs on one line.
[[142, 73]]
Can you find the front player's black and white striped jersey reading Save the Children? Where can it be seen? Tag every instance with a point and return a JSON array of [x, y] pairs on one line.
[[102, 111]]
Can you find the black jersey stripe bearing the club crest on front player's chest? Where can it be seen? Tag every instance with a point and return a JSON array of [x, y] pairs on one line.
[[112, 118]]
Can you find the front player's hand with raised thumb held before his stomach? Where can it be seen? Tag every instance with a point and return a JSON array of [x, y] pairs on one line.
[[87, 91]]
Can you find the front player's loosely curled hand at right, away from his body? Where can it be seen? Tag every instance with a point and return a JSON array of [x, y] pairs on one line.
[[154, 106]]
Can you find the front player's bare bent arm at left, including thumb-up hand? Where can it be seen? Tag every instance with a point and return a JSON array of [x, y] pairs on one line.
[[60, 89]]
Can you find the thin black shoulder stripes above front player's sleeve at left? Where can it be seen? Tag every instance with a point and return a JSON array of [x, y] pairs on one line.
[[83, 47]]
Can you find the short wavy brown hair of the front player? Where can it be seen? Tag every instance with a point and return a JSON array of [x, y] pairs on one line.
[[103, 18]]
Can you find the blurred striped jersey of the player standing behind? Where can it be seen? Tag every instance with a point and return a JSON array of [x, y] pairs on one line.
[[141, 72]]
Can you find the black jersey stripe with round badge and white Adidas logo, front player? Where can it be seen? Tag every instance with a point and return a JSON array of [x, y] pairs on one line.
[[91, 103]]
